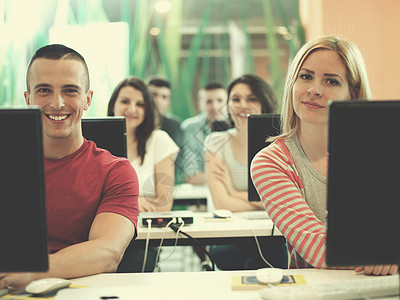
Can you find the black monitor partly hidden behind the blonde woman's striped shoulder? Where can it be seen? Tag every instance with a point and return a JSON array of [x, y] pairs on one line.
[[260, 127]]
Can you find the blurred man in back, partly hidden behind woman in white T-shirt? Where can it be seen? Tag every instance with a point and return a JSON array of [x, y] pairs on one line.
[[160, 89]]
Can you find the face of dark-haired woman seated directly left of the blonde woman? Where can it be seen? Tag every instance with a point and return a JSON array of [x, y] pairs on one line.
[[242, 102]]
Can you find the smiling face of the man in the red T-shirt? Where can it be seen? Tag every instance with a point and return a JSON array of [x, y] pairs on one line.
[[58, 87]]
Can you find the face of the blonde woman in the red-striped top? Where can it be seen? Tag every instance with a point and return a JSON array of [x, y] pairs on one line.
[[321, 78]]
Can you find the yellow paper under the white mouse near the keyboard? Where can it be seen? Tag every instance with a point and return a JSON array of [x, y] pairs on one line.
[[251, 283]]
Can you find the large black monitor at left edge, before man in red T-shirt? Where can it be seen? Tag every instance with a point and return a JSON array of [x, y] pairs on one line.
[[22, 192]]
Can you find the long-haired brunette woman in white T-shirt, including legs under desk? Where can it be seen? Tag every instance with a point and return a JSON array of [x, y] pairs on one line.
[[151, 152]]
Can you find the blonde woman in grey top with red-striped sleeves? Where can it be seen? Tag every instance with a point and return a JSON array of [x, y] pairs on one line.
[[291, 174]]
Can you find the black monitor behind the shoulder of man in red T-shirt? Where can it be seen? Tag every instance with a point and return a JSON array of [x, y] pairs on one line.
[[108, 133]]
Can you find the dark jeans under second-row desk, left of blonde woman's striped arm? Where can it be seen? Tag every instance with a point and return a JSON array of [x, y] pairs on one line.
[[247, 257]]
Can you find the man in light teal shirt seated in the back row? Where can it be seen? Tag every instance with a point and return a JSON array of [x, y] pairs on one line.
[[212, 107]]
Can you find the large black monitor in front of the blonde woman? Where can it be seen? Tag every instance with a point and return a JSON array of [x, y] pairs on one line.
[[363, 183]]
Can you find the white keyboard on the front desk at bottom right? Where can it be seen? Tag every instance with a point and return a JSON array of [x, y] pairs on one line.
[[377, 286]]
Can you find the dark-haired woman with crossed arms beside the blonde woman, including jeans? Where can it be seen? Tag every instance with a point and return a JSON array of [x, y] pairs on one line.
[[227, 171]]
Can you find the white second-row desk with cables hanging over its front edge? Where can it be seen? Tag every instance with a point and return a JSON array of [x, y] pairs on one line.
[[209, 230]]
